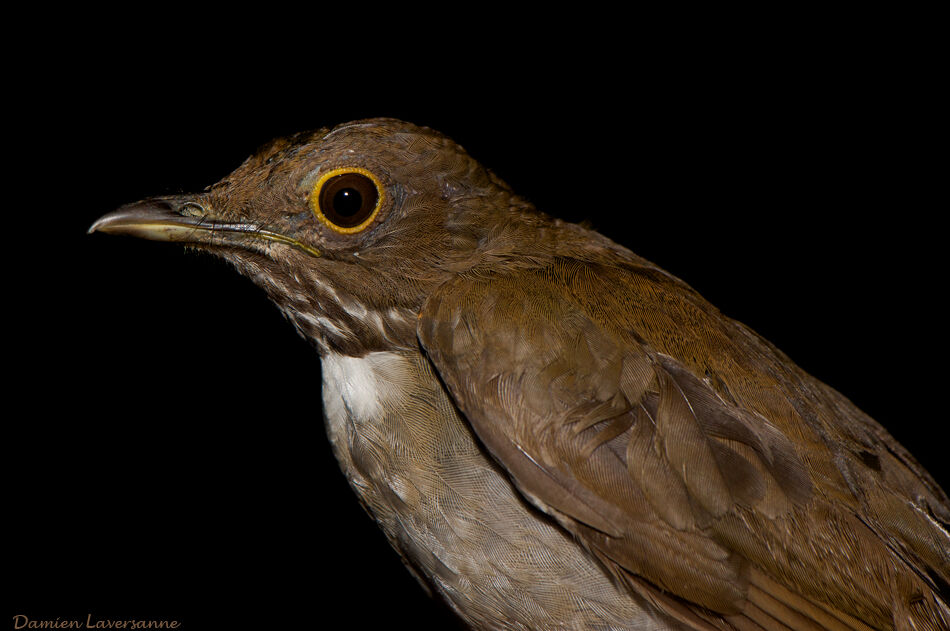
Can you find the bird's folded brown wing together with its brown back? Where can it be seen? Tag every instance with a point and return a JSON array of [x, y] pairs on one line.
[[689, 456]]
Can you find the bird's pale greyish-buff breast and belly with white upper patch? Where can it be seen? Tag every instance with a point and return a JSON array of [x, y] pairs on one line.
[[451, 512]]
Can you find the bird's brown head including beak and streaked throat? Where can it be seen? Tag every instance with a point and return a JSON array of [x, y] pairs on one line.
[[349, 229]]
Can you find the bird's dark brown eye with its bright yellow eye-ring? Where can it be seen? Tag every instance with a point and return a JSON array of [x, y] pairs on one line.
[[347, 199]]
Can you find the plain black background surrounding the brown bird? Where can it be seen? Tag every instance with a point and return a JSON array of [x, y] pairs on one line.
[[164, 455]]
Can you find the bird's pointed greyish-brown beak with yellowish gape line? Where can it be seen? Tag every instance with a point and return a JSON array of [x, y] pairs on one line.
[[184, 220]]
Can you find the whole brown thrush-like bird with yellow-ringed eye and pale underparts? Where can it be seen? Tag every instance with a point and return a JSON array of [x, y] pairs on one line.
[[553, 432]]
